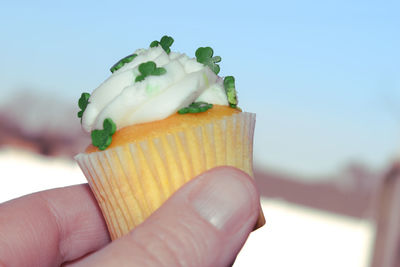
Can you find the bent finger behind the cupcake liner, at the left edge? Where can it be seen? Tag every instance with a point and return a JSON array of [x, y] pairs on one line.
[[50, 227]]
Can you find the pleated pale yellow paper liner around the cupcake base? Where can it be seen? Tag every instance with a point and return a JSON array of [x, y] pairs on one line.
[[131, 181]]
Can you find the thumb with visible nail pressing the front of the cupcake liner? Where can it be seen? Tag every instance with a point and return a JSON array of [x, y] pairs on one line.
[[205, 223]]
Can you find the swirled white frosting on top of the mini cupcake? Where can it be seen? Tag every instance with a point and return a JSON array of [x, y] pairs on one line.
[[128, 102]]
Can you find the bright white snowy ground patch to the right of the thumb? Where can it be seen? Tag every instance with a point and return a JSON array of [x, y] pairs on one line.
[[297, 236]]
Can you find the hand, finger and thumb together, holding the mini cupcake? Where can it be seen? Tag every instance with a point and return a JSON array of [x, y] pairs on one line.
[[205, 223]]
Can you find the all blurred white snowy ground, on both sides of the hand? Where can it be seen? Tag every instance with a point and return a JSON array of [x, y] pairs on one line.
[[293, 235]]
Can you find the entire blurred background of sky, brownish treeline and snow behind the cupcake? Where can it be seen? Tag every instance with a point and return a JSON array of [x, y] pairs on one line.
[[323, 78]]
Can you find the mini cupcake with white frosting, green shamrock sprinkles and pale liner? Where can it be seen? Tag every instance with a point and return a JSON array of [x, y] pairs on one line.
[[158, 121]]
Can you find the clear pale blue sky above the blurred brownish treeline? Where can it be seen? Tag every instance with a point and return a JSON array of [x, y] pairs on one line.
[[323, 77]]
